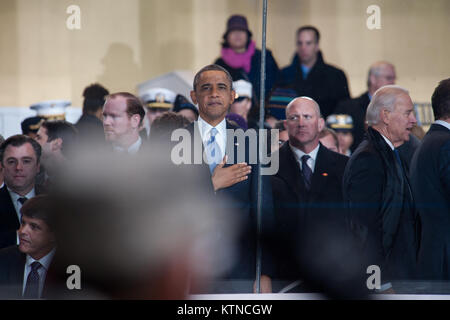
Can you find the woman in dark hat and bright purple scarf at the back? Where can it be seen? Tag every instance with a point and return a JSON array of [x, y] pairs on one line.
[[241, 58]]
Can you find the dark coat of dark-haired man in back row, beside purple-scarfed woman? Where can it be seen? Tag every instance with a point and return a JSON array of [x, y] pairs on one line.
[[326, 84]]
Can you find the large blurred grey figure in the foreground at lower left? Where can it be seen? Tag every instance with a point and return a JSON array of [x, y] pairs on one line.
[[135, 231]]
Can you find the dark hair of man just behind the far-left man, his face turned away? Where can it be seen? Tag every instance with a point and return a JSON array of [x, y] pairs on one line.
[[64, 130]]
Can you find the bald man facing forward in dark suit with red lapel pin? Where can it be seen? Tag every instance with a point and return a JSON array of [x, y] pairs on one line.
[[307, 192]]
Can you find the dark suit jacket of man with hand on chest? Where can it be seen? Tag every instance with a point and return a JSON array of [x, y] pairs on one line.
[[241, 201]]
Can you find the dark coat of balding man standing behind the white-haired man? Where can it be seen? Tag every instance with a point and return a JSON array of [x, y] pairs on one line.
[[356, 108]]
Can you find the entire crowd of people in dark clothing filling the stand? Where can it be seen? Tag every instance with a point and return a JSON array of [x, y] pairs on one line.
[[354, 187]]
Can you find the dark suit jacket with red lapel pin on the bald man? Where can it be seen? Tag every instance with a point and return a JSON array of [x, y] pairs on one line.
[[307, 222]]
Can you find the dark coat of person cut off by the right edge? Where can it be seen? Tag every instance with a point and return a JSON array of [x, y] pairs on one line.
[[430, 180]]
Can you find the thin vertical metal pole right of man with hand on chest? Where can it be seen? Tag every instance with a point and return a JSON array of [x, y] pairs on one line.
[[261, 126]]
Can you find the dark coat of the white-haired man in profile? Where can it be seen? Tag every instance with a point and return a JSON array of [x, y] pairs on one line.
[[381, 210]]
